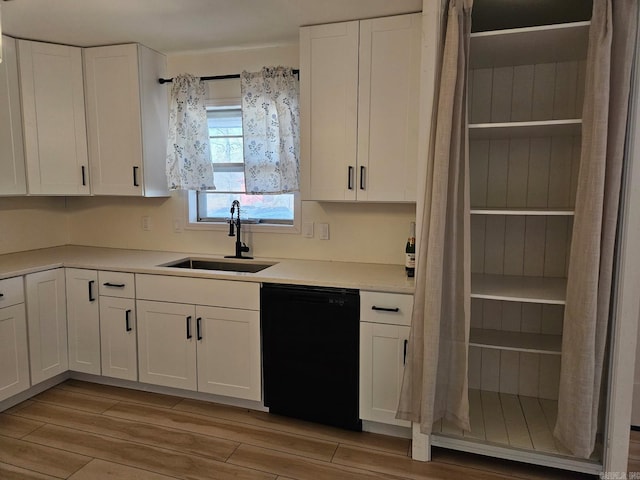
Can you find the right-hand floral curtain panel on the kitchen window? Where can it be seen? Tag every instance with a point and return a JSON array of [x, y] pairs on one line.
[[271, 129]]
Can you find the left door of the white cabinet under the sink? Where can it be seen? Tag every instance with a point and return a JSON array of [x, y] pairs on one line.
[[167, 344]]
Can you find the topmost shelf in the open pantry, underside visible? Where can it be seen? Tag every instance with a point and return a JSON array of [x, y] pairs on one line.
[[531, 45]]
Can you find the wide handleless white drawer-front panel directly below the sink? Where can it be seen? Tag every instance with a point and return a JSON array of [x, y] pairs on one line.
[[198, 291]]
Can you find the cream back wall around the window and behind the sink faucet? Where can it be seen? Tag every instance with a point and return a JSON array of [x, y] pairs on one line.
[[373, 233]]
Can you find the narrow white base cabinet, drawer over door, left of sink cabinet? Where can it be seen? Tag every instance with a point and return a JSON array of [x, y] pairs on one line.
[[118, 326]]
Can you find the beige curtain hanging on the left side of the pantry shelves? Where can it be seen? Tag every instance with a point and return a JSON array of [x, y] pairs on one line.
[[435, 377]]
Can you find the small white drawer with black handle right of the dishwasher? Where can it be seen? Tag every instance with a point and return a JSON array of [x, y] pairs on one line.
[[391, 308]]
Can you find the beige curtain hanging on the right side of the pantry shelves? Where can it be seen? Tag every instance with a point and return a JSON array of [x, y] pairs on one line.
[[608, 75]]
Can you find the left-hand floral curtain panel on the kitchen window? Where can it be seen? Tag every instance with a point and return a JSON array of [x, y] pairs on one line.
[[189, 164]]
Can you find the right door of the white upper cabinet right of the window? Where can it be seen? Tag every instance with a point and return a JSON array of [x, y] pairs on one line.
[[388, 108]]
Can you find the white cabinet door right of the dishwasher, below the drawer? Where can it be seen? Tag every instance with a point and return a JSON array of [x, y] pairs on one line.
[[382, 358]]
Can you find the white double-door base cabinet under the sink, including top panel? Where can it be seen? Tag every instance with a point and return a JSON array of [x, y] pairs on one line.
[[212, 348]]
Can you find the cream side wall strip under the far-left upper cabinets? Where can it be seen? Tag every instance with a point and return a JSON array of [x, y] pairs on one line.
[[32, 222]]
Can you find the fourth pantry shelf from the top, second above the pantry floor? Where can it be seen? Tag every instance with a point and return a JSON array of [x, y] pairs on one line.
[[519, 289]]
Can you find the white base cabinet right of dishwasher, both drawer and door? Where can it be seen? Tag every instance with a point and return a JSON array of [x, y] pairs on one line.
[[384, 336]]
